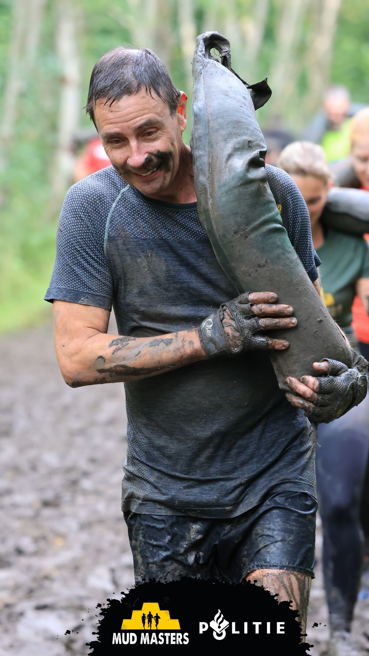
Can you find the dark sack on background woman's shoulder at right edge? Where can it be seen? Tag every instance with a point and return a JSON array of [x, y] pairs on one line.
[[347, 210]]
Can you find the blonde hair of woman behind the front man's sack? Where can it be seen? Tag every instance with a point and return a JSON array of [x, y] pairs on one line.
[[305, 158]]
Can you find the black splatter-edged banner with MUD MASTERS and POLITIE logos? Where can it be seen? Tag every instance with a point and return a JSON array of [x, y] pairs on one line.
[[192, 613]]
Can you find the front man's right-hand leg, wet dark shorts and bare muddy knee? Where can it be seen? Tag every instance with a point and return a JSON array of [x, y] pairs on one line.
[[273, 546]]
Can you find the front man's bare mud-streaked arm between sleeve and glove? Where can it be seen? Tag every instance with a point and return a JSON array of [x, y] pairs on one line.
[[88, 356]]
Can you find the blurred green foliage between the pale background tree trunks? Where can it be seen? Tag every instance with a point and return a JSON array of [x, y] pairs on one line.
[[27, 229]]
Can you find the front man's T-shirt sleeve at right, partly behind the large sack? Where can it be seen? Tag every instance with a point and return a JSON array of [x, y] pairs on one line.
[[295, 217]]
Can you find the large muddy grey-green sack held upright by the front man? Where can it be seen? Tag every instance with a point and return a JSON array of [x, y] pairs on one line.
[[239, 213]]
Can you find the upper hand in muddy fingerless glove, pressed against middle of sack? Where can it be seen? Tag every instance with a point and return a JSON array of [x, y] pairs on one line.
[[237, 325]]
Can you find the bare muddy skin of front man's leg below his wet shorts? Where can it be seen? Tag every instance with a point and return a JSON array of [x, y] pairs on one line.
[[288, 585]]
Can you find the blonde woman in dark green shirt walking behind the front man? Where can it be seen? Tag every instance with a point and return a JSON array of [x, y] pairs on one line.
[[343, 445]]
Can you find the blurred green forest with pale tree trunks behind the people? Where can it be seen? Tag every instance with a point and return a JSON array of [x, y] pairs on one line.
[[48, 49]]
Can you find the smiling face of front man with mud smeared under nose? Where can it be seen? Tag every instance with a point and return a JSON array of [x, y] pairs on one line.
[[143, 140]]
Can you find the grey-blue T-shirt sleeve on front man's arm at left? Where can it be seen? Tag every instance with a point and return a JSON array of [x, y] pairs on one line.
[[81, 273]]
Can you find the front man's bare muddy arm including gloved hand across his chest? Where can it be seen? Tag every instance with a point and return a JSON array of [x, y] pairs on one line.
[[88, 356]]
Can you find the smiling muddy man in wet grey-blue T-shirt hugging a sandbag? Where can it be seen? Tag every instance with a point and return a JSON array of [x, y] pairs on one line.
[[219, 473]]
